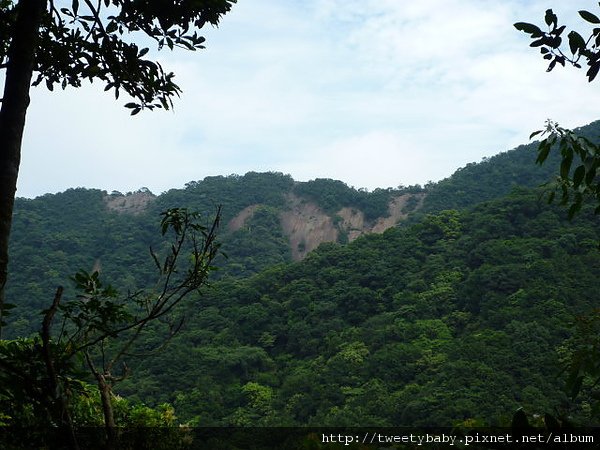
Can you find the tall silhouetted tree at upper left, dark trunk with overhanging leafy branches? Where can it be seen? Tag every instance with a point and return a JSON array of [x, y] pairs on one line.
[[86, 40]]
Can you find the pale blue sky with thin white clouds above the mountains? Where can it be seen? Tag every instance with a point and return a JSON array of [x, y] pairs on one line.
[[374, 93]]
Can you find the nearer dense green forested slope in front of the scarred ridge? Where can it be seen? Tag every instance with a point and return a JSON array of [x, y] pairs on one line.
[[462, 317]]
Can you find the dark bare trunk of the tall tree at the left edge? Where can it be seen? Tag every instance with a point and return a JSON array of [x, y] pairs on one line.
[[19, 71]]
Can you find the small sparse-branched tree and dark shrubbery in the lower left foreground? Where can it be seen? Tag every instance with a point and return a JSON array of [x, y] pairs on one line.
[[101, 328]]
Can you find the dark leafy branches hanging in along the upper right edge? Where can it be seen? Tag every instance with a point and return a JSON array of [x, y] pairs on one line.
[[574, 183]]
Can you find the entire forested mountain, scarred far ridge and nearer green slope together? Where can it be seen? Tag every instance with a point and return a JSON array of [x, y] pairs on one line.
[[449, 303]]
